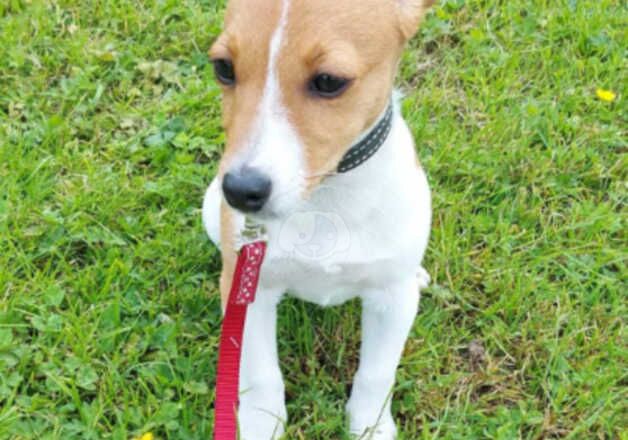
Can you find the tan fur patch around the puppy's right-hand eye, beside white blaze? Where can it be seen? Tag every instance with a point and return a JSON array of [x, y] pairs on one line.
[[323, 36]]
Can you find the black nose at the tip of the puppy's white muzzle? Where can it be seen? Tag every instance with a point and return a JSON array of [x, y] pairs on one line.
[[246, 189]]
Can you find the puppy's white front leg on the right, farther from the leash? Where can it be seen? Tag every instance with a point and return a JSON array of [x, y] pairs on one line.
[[387, 317]]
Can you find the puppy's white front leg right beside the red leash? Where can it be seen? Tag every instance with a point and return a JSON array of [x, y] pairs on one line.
[[262, 412]]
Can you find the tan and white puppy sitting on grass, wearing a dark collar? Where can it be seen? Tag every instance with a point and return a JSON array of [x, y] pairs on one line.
[[317, 152]]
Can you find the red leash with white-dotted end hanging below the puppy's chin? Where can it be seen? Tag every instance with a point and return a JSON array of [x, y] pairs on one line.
[[243, 288]]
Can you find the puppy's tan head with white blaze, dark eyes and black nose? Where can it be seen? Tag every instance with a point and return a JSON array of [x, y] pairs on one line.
[[302, 80]]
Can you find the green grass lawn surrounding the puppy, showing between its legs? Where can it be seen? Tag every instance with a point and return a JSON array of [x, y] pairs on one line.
[[109, 317]]
